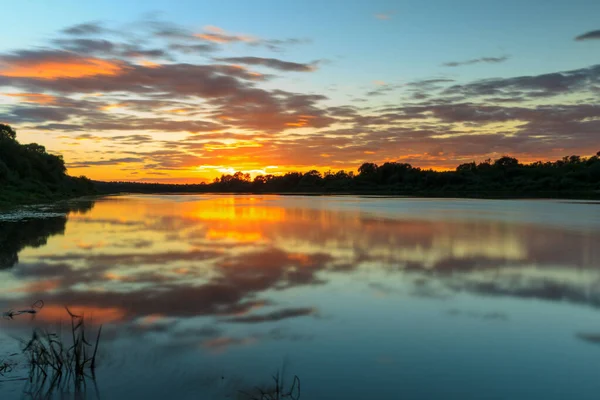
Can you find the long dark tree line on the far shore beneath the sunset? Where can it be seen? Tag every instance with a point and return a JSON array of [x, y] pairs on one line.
[[572, 176]]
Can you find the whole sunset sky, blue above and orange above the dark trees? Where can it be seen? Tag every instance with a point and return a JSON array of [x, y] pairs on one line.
[[184, 91]]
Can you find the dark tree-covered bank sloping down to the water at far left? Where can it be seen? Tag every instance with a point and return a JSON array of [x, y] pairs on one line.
[[28, 174]]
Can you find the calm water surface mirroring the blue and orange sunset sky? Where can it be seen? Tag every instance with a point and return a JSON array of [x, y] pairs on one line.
[[204, 296]]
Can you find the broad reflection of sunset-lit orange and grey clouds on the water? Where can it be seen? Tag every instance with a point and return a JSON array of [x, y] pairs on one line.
[[233, 258]]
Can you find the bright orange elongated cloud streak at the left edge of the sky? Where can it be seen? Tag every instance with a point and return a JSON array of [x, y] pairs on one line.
[[73, 68]]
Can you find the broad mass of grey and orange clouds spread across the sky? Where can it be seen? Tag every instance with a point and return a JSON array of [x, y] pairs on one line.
[[119, 89]]
